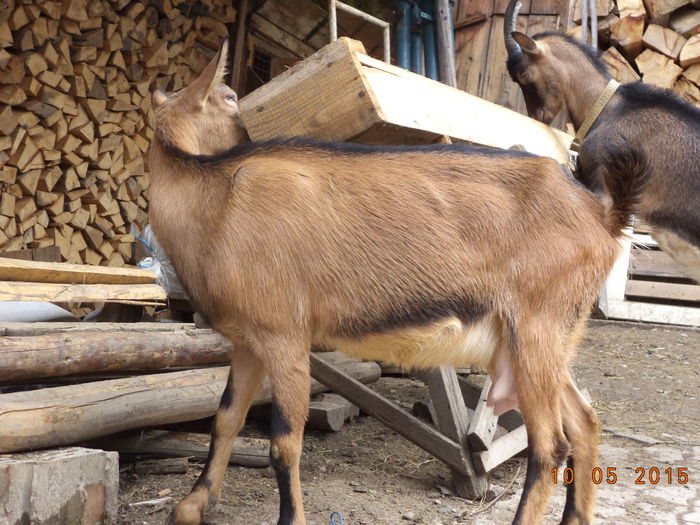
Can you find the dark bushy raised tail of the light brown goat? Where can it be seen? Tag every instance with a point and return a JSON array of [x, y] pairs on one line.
[[625, 172]]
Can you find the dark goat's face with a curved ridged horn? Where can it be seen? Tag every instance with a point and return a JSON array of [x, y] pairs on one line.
[[532, 67]]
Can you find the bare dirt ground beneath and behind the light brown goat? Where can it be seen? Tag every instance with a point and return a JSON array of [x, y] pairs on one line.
[[643, 380]]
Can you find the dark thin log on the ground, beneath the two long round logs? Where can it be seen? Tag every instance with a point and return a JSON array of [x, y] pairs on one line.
[[247, 452]]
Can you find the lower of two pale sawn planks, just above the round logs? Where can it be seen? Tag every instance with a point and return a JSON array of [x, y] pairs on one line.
[[63, 293]]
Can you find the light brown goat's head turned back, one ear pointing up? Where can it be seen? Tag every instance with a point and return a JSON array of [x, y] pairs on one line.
[[203, 118]]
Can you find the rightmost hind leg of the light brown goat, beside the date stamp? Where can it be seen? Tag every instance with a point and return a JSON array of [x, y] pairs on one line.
[[581, 428]]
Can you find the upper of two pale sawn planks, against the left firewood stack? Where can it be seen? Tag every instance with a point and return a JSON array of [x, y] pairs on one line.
[[46, 272]]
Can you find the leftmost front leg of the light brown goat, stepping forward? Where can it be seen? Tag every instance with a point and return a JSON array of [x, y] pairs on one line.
[[244, 381]]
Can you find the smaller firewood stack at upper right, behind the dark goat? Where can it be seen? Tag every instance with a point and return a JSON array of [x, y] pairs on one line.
[[655, 41]]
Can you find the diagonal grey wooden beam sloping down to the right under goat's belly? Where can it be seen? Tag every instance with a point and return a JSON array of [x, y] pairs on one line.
[[390, 415]]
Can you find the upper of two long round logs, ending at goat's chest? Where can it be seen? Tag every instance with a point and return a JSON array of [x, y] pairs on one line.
[[56, 355]]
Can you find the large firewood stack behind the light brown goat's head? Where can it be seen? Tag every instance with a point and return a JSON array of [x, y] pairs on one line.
[[75, 82]]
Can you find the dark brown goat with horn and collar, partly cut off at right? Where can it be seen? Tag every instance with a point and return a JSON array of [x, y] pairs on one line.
[[643, 149]]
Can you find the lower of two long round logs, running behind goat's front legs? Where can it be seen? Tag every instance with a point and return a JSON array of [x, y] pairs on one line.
[[68, 414]]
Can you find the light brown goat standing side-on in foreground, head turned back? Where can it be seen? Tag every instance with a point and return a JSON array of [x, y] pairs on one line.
[[420, 256]]
